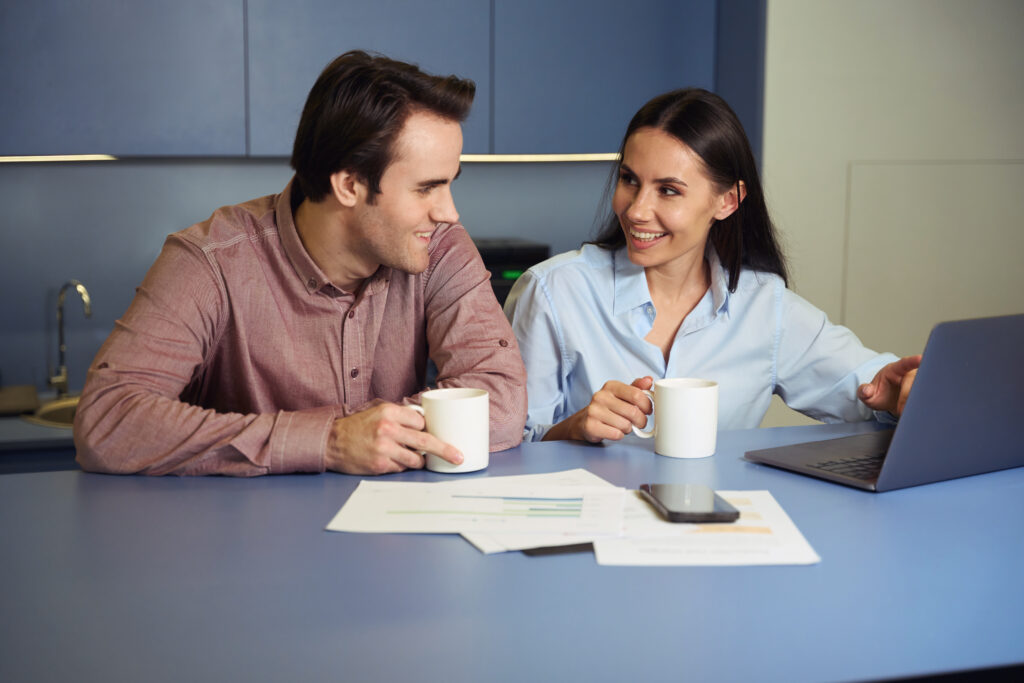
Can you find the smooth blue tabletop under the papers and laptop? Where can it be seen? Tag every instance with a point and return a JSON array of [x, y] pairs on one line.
[[137, 579]]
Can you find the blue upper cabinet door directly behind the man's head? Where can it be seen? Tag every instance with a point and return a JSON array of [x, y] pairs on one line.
[[291, 44]]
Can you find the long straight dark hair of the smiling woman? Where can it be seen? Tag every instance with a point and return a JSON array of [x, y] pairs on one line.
[[706, 124]]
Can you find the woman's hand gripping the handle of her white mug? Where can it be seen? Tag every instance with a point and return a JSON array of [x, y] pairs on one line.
[[611, 414]]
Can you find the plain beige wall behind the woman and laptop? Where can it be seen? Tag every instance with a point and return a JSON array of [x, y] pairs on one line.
[[894, 161]]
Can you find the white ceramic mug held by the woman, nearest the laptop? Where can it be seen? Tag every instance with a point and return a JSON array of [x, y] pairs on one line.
[[686, 417]]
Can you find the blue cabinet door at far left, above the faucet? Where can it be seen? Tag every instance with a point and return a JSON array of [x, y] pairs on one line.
[[122, 78]]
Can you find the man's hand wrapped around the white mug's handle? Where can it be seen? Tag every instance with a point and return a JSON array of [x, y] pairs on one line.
[[386, 439]]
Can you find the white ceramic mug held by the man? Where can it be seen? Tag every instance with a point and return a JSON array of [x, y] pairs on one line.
[[460, 417]]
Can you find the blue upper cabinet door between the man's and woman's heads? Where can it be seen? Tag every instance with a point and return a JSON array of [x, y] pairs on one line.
[[570, 75]]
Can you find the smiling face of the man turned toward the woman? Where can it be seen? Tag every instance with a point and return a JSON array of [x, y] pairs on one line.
[[416, 195]]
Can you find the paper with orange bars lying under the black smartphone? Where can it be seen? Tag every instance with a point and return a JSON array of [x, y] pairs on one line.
[[763, 535]]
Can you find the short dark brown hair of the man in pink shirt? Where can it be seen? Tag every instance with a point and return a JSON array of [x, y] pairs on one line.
[[355, 113]]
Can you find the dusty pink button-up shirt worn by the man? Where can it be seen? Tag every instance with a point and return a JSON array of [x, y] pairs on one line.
[[238, 354]]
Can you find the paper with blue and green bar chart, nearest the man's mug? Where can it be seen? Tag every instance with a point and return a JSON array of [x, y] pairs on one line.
[[490, 504]]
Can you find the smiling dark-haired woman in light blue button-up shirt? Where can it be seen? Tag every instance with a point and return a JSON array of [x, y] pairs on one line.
[[687, 280]]
